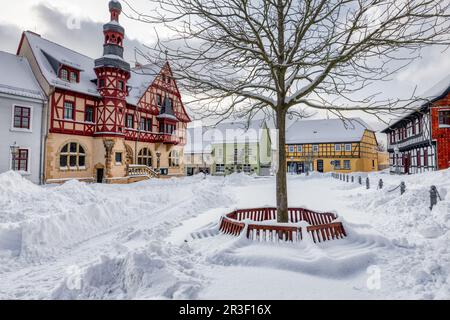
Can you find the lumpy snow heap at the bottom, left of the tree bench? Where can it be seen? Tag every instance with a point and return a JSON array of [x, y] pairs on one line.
[[157, 271]]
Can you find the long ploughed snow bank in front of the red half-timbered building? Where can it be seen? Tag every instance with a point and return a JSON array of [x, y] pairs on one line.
[[37, 223]]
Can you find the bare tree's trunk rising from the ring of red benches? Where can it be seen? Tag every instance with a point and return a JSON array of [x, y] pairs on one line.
[[282, 202]]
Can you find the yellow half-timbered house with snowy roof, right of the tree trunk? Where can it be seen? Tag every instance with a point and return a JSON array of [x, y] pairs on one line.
[[331, 145]]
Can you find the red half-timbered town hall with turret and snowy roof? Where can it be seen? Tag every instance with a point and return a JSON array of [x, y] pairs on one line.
[[107, 122]]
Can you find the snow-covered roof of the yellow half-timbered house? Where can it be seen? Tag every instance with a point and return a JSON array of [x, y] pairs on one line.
[[328, 130]]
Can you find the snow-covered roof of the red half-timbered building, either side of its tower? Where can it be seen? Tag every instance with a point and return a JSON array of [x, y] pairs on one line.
[[48, 53]]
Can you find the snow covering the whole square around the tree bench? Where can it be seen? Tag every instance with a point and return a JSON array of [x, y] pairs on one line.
[[159, 240]]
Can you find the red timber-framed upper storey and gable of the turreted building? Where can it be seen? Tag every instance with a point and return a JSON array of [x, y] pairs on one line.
[[147, 108]]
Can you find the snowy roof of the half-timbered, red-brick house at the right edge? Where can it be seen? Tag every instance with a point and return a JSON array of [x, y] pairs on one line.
[[435, 93]]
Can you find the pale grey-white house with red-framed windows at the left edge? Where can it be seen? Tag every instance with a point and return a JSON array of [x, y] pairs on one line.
[[21, 109]]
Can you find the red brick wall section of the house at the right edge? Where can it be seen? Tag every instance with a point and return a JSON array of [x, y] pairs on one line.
[[441, 135]]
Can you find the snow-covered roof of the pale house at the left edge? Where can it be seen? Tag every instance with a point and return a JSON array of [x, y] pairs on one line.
[[17, 78]]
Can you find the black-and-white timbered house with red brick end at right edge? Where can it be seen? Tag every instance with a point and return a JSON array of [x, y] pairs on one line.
[[420, 141]]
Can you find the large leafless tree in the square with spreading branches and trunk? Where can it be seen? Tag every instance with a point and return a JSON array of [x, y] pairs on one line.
[[287, 56]]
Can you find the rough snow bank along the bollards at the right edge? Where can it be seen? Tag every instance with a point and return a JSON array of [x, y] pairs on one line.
[[421, 267]]
